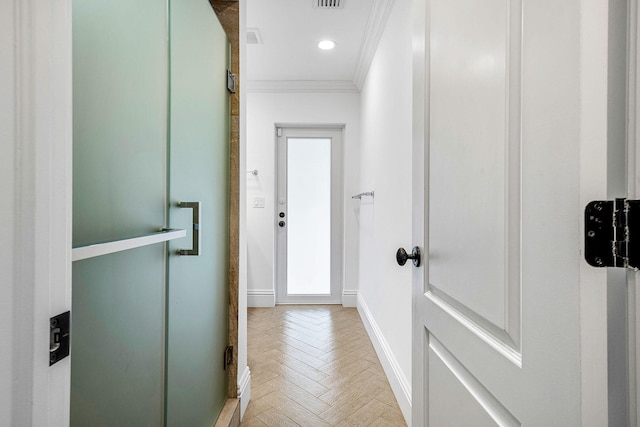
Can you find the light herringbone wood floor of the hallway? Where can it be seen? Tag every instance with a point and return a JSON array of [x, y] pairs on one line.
[[315, 366]]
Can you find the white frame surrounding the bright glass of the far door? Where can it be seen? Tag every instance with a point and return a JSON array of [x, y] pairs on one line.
[[335, 132]]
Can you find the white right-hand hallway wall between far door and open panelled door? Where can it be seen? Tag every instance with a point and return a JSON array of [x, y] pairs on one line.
[[384, 292]]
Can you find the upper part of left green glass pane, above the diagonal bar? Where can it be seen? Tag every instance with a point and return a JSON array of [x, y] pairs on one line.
[[119, 118]]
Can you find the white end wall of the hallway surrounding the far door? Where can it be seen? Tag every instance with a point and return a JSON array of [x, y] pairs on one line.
[[264, 110]]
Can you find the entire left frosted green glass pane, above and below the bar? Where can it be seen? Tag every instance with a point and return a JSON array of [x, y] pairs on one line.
[[120, 82]]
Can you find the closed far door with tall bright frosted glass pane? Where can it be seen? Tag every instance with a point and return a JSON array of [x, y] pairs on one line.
[[308, 216]]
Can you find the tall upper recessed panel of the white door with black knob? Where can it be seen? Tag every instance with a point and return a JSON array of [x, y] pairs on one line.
[[474, 237]]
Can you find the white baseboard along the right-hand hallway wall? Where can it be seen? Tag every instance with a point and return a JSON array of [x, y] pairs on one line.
[[400, 385]]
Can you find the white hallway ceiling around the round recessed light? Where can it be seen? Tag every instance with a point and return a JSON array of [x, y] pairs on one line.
[[290, 30]]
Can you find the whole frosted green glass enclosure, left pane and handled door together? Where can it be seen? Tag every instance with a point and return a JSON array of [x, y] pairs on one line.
[[151, 128]]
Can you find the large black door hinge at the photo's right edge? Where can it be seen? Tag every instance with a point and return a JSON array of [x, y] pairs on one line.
[[612, 233]]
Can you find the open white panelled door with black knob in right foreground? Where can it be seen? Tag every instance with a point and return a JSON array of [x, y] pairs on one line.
[[504, 99]]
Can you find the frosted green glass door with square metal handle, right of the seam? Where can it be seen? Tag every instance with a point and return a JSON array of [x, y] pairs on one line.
[[199, 169]]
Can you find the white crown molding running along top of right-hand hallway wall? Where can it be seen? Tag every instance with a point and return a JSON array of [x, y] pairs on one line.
[[380, 12]]
